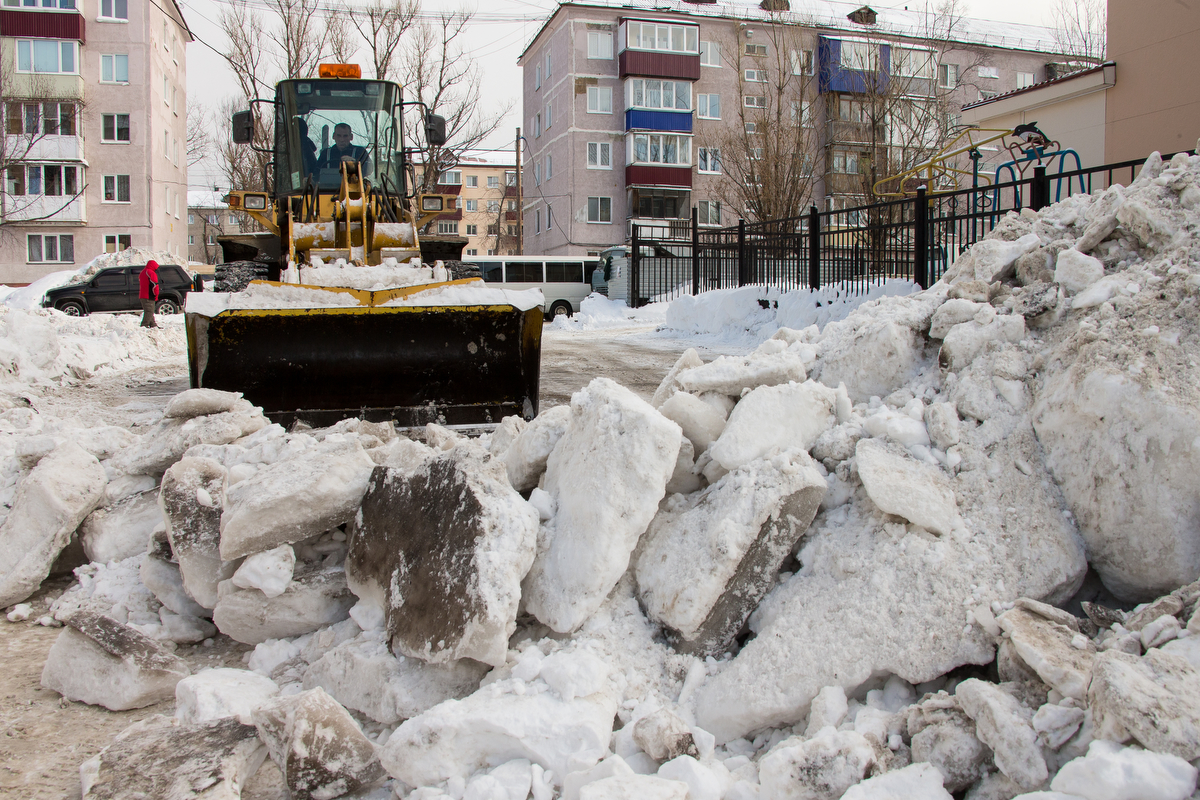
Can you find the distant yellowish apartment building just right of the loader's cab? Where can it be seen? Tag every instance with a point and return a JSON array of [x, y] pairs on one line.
[[489, 208]]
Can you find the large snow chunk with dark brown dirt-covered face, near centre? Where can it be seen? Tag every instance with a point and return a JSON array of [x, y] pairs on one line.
[[443, 551]]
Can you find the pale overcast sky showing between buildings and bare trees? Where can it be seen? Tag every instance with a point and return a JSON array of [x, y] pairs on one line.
[[500, 33]]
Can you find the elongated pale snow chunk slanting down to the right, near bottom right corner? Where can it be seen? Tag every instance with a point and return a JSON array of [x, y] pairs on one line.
[[1004, 725]]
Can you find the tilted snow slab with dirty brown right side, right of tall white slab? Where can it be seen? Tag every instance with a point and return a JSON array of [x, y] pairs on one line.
[[703, 572]]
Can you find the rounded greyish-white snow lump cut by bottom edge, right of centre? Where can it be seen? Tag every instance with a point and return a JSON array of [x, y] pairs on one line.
[[821, 768]]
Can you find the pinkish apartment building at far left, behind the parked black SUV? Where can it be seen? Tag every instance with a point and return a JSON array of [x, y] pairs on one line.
[[94, 154]]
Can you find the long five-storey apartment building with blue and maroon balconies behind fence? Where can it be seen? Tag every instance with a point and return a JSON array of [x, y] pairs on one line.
[[640, 111]]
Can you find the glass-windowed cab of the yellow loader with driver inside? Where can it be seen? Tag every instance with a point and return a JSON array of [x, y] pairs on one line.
[[321, 122]]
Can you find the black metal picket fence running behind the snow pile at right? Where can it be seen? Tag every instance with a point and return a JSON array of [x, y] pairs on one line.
[[915, 239]]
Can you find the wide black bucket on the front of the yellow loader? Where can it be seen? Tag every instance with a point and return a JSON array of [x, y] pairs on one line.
[[453, 365]]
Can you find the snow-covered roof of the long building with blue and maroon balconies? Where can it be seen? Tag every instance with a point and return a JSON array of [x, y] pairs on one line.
[[832, 15]]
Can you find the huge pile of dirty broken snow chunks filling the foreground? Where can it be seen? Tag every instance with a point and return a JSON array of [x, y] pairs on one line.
[[836, 566]]
